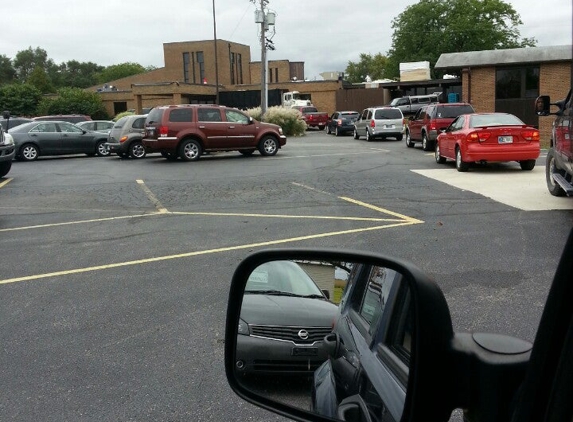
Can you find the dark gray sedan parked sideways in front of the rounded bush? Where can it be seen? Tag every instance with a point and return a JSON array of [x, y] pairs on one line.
[[56, 138]]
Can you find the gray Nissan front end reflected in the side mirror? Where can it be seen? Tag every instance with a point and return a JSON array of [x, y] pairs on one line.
[[284, 319]]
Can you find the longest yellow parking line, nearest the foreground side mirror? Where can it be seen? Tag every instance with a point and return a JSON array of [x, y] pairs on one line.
[[197, 253]]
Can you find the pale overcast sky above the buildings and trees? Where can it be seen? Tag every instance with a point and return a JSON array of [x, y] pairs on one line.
[[325, 34]]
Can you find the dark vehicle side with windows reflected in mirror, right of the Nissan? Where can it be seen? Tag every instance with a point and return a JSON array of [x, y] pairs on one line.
[[370, 345]]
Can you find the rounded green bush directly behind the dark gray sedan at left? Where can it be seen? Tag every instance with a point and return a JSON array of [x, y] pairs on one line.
[[74, 101]]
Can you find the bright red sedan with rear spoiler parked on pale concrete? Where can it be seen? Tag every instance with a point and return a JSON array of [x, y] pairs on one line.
[[488, 137]]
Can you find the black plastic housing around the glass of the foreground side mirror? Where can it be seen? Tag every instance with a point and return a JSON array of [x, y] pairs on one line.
[[431, 342]]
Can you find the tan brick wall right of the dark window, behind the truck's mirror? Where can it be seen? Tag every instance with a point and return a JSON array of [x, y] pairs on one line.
[[555, 81]]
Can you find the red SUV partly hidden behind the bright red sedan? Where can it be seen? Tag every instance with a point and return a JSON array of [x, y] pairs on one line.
[[427, 123]]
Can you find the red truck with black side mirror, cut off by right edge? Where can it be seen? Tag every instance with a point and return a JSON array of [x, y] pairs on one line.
[[559, 164]]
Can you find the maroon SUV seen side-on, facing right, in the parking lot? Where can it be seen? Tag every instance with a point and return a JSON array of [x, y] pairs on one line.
[[189, 130]]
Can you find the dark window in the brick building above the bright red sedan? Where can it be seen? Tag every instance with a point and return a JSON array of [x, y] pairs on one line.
[[517, 82]]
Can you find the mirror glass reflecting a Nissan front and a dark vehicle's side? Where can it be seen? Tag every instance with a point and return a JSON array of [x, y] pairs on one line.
[[348, 355]]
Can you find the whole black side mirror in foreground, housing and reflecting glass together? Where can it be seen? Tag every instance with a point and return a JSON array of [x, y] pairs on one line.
[[383, 333]]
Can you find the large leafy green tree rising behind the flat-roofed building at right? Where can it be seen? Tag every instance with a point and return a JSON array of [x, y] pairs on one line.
[[432, 27]]
